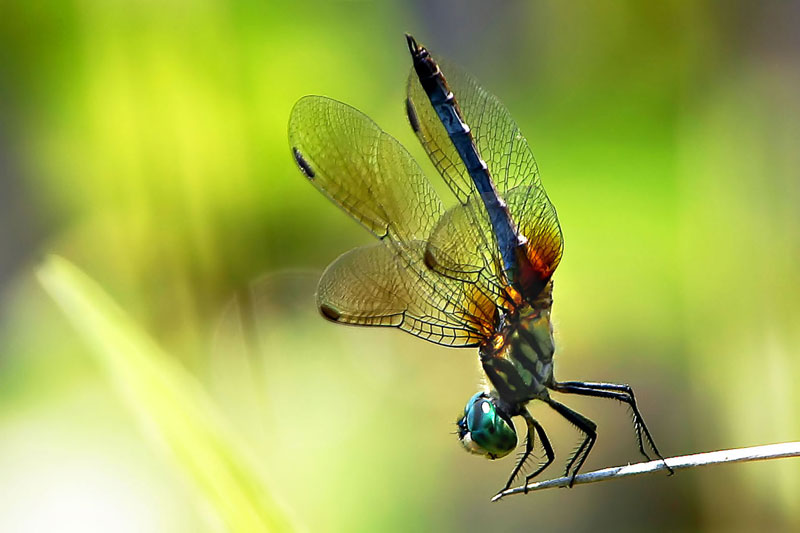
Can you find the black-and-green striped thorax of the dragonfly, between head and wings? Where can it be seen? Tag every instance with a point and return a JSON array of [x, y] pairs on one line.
[[518, 358]]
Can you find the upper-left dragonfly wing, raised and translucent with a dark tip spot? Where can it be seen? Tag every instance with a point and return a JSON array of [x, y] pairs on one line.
[[362, 169]]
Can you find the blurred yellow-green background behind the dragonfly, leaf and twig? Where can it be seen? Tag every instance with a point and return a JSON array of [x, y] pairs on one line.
[[146, 143]]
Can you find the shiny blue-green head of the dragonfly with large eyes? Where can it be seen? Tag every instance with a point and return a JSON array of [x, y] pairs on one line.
[[486, 429]]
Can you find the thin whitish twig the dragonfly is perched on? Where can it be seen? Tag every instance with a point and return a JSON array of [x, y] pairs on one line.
[[738, 455]]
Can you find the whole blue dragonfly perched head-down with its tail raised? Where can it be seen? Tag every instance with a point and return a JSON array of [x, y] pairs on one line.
[[477, 274]]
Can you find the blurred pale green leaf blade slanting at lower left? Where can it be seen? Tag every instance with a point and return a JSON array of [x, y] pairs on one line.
[[168, 403]]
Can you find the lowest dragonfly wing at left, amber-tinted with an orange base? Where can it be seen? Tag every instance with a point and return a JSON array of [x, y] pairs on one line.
[[372, 286]]
